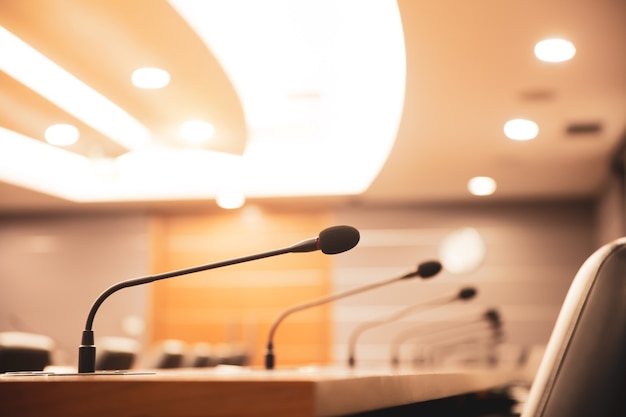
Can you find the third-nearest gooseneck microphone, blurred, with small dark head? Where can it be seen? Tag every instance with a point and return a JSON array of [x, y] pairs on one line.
[[464, 294]]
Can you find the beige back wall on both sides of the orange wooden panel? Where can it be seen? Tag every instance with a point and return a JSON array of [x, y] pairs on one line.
[[53, 267]]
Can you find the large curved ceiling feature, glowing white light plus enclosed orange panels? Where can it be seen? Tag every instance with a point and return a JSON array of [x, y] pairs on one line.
[[296, 111]]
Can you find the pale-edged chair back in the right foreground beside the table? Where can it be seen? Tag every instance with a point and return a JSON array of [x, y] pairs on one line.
[[583, 370]]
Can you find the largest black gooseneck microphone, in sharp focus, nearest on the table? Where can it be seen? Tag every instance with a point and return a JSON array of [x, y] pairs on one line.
[[331, 241]]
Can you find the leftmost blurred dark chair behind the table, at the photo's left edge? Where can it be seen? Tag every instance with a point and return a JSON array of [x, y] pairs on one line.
[[20, 351]]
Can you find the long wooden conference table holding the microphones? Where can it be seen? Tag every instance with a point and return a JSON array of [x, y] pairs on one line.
[[234, 392]]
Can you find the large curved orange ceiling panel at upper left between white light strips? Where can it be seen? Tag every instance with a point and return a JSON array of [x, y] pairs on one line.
[[102, 42]]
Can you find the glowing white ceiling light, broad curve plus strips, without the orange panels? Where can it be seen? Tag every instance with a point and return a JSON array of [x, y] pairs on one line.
[[266, 65]]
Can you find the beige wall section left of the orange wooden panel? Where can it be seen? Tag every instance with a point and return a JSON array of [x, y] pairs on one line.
[[52, 268]]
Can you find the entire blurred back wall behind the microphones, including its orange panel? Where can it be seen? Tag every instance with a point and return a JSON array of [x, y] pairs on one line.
[[52, 267]]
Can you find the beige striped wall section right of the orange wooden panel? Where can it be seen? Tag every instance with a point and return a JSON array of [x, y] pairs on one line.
[[532, 253]]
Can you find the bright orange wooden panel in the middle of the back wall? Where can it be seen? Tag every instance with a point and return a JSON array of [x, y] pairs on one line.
[[238, 304]]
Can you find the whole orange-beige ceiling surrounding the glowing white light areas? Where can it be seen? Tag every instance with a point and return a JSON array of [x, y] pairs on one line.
[[469, 68]]
